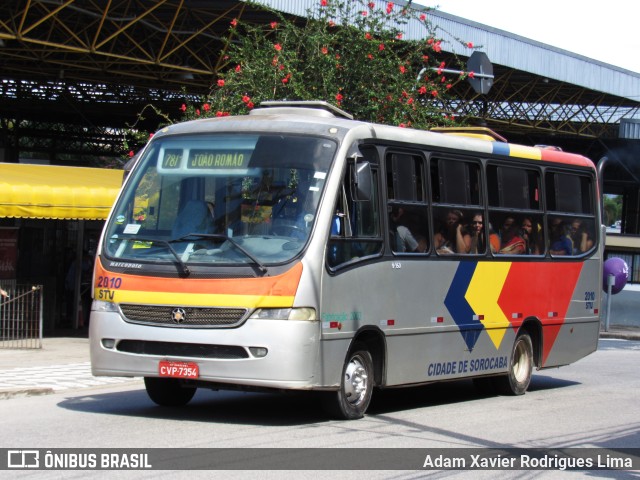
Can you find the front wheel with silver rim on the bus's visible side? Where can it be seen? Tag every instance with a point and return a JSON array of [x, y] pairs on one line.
[[351, 401]]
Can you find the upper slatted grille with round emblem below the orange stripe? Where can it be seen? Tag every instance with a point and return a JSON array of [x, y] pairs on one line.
[[187, 317]]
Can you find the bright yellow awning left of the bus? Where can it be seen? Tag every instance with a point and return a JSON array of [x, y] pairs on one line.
[[47, 191]]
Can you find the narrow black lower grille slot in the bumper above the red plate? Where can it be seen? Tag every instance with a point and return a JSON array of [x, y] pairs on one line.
[[174, 349]]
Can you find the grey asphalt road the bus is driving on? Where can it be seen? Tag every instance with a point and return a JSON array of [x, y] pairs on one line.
[[593, 403]]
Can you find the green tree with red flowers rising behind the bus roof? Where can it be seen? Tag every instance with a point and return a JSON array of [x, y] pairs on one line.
[[349, 53]]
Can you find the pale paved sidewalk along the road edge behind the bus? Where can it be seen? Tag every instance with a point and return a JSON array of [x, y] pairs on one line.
[[63, 363]]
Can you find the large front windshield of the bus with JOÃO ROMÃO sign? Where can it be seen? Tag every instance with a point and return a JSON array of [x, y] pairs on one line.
[[220, 199]]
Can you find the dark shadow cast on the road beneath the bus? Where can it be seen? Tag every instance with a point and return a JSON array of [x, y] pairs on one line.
[[283, 409]]
